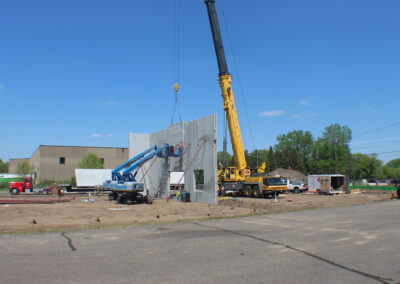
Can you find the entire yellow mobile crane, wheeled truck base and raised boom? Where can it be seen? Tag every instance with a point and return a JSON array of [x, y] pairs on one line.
[[239, 180]]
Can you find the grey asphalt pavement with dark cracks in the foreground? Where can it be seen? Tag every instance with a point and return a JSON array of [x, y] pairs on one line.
[[357, 244]]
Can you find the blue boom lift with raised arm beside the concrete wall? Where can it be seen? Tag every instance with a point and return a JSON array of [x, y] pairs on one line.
[[124, 187]]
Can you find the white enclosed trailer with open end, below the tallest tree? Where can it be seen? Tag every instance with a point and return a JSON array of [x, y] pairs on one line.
[[328, 183]]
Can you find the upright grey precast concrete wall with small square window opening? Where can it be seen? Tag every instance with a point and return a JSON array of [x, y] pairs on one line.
[[199, 138]]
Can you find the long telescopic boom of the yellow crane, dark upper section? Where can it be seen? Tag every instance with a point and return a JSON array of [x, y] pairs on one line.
[[225, 82]]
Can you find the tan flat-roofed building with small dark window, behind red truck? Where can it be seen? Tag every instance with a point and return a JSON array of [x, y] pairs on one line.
[[59, 162]]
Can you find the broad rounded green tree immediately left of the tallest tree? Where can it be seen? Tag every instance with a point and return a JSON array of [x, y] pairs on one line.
[[294, 150]]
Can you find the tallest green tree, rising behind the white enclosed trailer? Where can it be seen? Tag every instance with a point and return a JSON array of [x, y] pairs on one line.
[[332, 150]]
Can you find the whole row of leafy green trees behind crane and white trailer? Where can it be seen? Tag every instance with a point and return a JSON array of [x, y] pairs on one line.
[[328, 154]]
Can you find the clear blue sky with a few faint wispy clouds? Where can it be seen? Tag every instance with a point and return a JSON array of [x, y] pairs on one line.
[[89, 72]]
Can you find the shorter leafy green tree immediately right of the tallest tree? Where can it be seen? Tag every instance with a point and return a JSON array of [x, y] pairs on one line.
[[364, 166]]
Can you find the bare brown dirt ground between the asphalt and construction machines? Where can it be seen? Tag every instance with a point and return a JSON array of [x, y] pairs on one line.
[[79, 214]]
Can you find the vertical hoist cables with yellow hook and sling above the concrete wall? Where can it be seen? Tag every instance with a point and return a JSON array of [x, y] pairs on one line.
[[176, 60]]
